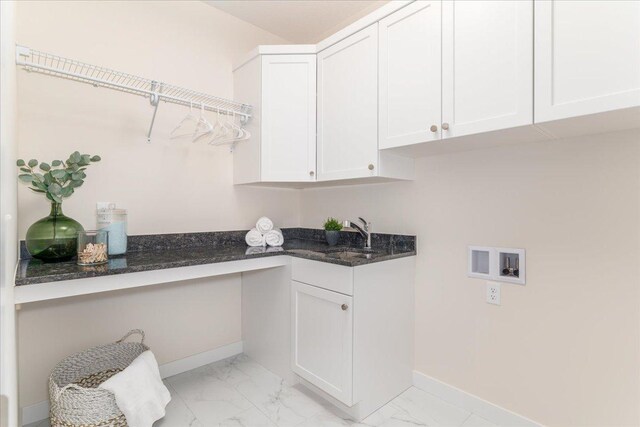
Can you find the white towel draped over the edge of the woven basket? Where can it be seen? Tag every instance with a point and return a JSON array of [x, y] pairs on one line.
[[140, 393]]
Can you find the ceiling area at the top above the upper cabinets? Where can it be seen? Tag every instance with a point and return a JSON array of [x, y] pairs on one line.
[[299, 21]]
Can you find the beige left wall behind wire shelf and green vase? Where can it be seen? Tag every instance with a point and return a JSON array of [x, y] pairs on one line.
[[166, 186]]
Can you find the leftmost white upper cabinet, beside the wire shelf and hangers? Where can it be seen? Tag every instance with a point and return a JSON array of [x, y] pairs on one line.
[[282, 147]]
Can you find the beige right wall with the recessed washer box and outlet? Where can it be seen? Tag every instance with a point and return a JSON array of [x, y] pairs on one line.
[[562, 350]]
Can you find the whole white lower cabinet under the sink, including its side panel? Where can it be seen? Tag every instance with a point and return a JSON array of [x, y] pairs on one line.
[[352, 331]]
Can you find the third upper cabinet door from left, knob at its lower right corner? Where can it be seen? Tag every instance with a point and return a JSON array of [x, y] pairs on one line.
[[410, 82]]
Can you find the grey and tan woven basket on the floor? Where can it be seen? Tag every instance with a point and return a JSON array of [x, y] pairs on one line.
[[76, 400]]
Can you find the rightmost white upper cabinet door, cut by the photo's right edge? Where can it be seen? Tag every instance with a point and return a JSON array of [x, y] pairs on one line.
[[587, 57]]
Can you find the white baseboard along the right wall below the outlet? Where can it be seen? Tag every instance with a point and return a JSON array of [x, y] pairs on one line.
[[487, 410]]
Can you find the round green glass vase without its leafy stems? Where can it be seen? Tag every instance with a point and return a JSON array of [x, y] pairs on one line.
[[55, 237]]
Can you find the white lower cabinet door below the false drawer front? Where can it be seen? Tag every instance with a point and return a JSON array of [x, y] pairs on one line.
[[322, 339]]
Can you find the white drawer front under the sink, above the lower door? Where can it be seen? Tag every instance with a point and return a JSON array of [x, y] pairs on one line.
[[337, 278]]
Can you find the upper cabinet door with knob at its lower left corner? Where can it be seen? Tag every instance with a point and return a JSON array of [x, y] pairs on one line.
[[487, 66]]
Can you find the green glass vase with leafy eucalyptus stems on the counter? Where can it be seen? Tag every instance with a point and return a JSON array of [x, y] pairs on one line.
[[54, 237]]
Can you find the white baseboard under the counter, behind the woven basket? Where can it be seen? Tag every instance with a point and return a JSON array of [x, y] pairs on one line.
[[40, 410]]
